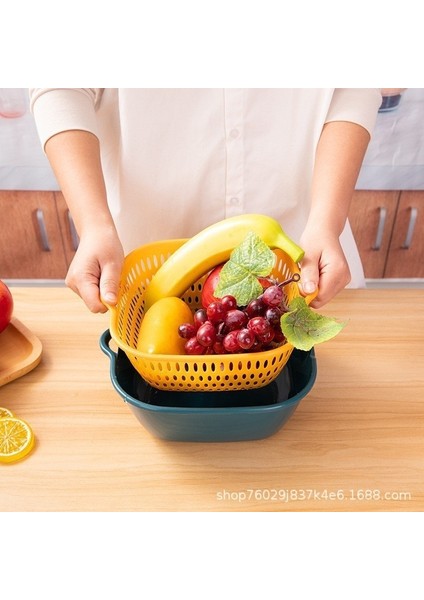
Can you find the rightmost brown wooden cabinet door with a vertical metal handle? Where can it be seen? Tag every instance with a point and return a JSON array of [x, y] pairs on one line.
[[406, 252]]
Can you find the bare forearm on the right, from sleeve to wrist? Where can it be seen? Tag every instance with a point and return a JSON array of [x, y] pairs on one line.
[[339, 156]]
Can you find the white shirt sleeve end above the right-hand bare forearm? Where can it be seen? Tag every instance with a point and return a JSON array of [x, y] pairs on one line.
[[356, 105]]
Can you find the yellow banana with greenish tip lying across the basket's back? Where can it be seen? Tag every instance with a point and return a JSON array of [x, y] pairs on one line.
[[212, 246]]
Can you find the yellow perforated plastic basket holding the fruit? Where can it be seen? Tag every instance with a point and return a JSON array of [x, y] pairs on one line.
[[220, 372]]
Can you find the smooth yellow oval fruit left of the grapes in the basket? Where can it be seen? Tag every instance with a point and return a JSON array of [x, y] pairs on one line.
[[159, 327]]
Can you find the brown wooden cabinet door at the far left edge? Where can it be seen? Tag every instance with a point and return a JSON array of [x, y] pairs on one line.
[[31, 245]]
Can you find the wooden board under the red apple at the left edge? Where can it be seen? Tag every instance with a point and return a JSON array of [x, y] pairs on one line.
[[20, 351]]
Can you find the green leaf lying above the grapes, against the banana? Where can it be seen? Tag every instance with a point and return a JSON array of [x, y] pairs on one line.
[[248, 261]]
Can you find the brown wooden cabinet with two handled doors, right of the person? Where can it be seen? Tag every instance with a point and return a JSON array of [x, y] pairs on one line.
[[388, 227]]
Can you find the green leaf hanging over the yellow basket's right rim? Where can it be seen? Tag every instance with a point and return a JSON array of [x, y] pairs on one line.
[[305, 328]]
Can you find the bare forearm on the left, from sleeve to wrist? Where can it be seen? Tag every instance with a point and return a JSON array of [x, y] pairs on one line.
[[75, 158]]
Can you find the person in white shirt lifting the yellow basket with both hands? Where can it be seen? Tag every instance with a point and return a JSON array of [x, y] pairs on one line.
[[137, 165]]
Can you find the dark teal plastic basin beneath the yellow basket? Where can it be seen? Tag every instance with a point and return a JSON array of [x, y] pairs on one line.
[[213, 416]]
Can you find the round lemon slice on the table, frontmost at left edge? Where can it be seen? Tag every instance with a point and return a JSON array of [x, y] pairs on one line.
[[16, 439]]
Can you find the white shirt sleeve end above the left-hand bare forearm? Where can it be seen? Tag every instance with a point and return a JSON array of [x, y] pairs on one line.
[[62, 109]]
